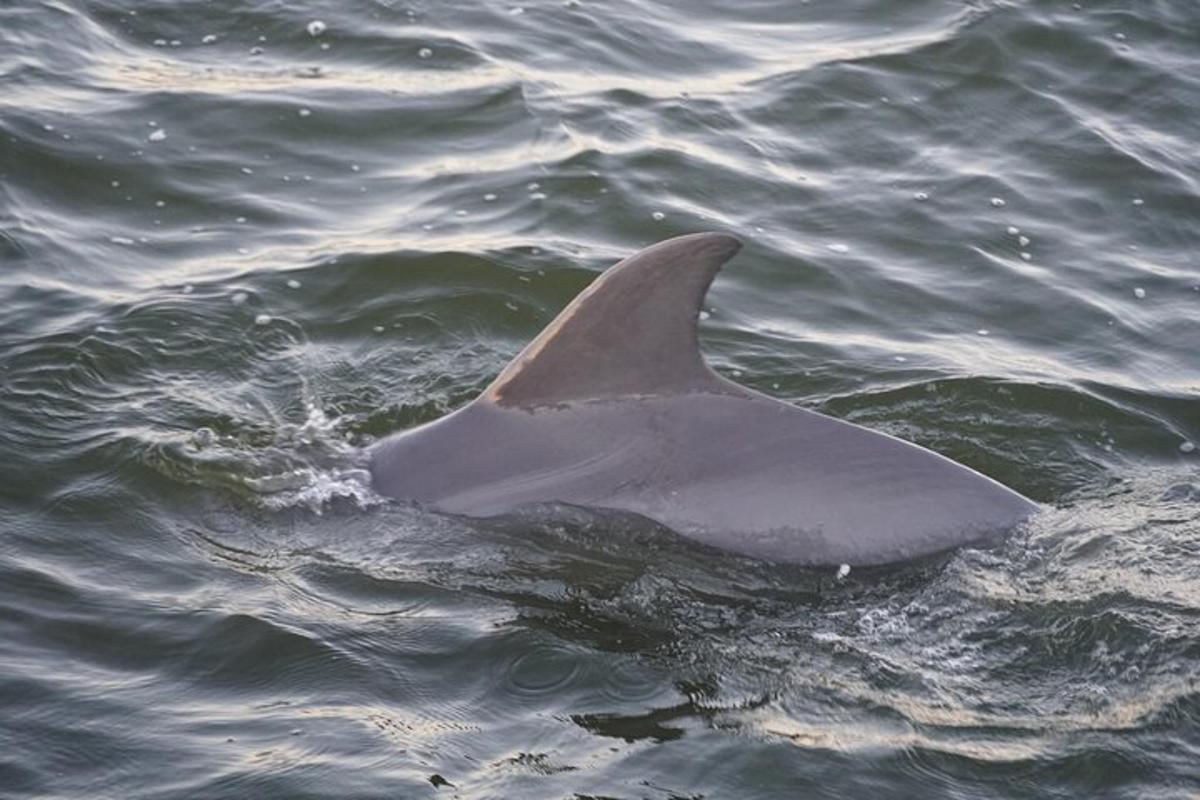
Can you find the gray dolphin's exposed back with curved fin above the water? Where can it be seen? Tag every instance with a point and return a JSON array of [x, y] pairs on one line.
[[614, 408]]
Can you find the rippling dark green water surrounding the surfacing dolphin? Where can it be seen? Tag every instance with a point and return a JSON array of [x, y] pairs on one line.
[[242, 240]]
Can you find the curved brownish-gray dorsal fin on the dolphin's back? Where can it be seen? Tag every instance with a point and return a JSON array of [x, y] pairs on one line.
[[632, 333]]
